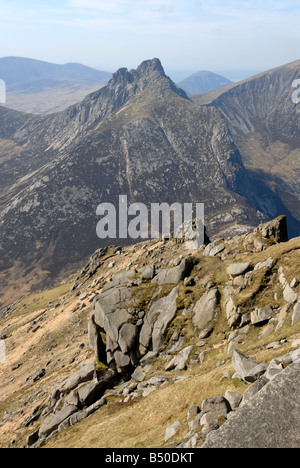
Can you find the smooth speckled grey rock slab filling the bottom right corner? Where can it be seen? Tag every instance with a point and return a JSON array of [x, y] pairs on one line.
[[271, 419]]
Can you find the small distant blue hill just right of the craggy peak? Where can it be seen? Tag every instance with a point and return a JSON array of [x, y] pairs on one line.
[[202, 82]]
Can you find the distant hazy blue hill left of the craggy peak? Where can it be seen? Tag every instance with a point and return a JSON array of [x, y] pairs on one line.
[[40, 87]]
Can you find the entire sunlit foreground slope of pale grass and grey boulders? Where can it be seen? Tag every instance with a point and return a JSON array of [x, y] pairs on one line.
[[156, 345]]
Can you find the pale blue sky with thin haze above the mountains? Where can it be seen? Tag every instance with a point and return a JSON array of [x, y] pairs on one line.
[[185, 34]]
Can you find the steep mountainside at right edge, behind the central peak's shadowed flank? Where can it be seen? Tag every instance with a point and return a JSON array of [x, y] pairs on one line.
[[263, 115]]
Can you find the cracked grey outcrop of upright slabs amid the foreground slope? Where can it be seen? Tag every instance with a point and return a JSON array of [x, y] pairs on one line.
[[132, 335]]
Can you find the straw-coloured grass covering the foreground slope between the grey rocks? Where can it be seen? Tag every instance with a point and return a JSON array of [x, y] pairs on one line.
[[142, 422]]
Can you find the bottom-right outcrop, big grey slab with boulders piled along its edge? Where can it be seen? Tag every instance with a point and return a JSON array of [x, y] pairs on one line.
[[255, 419]]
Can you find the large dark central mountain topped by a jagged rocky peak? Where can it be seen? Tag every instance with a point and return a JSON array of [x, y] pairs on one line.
[[139, 136]]
